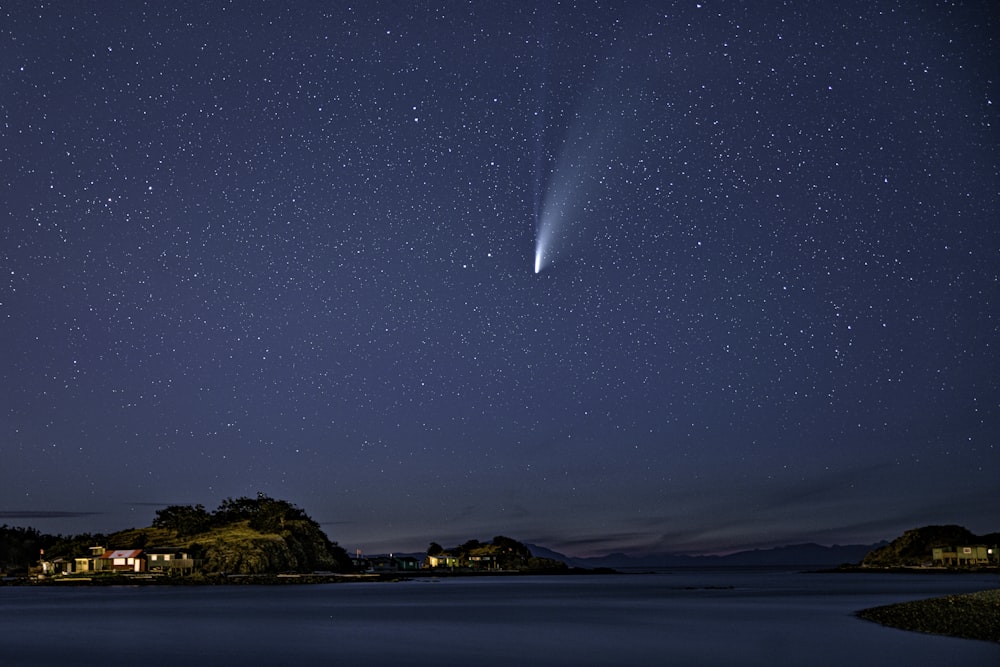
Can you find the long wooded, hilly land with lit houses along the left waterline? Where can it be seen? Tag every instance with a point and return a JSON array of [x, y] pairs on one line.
[[244, 540]]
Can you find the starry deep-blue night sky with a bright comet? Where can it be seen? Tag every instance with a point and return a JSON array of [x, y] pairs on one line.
[[291, 248]]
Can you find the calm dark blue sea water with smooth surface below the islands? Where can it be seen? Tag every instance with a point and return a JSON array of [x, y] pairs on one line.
[[713, 617]]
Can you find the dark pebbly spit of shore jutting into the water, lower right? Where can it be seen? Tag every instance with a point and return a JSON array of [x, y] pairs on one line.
[[971, 616]]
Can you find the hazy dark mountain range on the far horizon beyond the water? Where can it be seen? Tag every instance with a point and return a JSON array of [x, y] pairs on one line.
[[798, 555]]
